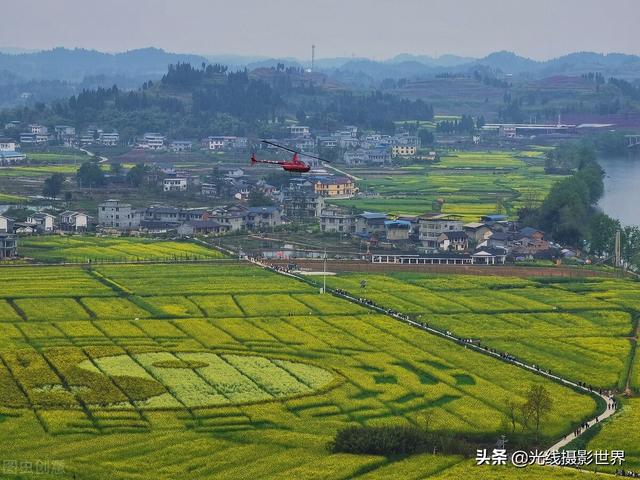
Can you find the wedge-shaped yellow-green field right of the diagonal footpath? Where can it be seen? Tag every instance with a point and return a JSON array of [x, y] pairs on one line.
[[578, 329]]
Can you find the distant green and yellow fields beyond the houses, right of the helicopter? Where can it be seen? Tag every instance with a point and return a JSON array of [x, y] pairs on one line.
[[471, 183]]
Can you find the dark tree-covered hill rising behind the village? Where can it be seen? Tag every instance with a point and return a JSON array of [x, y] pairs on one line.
[[193, 102]]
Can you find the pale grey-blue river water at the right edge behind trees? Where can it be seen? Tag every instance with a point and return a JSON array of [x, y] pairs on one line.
[[621, 197]]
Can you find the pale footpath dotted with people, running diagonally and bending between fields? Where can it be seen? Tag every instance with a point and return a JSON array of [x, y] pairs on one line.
[[607, 399]]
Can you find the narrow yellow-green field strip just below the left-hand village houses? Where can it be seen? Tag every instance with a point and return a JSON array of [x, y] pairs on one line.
[[82, 249]]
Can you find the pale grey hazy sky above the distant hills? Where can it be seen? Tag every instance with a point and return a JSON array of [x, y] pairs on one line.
[[372, 28]]
